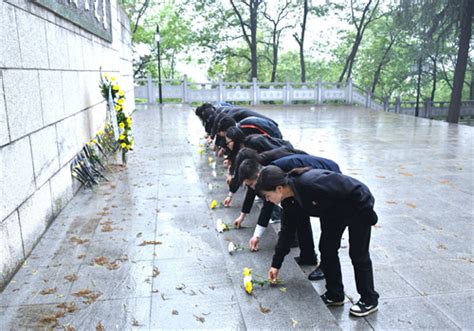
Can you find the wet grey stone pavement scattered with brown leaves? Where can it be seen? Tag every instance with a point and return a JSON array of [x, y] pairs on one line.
[[141, 250]]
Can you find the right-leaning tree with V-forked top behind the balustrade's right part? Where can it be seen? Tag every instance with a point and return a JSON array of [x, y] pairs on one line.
[[368, 15]]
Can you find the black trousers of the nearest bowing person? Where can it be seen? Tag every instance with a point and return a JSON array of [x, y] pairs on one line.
[[359, 240]]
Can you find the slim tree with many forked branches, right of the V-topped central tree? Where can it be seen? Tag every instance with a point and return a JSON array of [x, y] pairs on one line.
[[276, 31]]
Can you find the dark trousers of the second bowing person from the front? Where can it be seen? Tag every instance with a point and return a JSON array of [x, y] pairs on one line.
[[298, 223]]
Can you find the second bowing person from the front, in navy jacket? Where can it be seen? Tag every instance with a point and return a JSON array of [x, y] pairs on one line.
[[294, 220]]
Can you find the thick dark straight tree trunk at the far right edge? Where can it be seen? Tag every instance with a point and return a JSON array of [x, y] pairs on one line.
[[461, 63]]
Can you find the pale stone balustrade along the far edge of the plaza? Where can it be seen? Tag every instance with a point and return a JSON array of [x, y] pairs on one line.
[[287, 93]]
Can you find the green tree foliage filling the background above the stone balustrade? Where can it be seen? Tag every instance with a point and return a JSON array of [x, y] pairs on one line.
[[401, 35]]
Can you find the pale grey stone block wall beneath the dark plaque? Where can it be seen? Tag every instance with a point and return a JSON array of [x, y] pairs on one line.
[[50, 105]]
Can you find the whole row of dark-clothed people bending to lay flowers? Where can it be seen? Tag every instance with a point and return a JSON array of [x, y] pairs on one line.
[[294, 186]]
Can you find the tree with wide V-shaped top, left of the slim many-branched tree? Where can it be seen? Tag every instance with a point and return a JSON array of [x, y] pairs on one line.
[[249, 29]]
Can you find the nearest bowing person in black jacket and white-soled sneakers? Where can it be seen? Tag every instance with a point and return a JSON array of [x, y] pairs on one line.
[[339, 201]]
